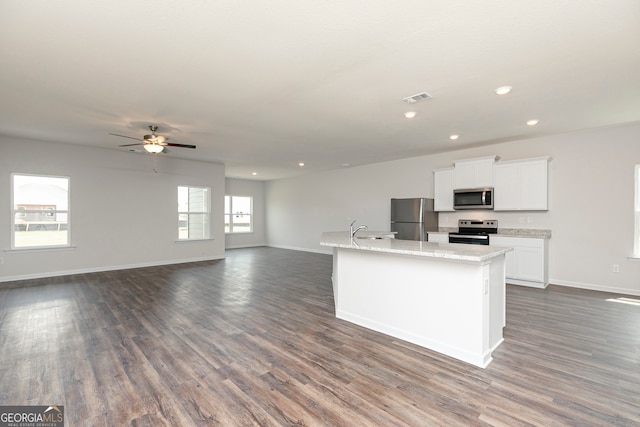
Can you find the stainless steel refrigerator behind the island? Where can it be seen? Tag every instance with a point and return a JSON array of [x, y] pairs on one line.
[[413, 218]]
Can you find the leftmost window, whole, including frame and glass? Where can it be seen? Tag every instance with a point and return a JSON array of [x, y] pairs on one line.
[[39, 211]]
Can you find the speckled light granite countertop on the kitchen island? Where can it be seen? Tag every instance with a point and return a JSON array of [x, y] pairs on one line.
[[368, 242]]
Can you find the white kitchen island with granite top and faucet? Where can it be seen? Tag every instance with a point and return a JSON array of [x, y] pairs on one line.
[[449, 298]]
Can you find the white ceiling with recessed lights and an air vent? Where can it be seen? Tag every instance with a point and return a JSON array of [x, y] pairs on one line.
[[263, 85]]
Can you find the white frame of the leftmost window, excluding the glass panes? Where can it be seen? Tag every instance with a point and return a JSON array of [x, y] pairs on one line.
[[49, 212]]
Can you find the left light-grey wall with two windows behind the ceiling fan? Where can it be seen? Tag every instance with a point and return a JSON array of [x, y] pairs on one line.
[[122, 213]]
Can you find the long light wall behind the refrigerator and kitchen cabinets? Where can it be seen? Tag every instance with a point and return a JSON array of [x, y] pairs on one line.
[[590, 206]]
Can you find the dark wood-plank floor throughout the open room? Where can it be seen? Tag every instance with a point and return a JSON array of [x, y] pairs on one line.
[[253, 340]]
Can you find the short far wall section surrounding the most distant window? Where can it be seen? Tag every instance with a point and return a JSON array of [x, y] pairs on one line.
[[255, 189]]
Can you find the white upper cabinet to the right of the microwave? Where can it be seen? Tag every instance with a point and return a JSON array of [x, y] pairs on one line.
[[521, 185]]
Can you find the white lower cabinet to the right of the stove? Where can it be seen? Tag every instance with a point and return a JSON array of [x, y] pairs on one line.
[[527, 263]]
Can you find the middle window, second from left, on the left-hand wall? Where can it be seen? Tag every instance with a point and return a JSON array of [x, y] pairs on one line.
[[193, 213]]
